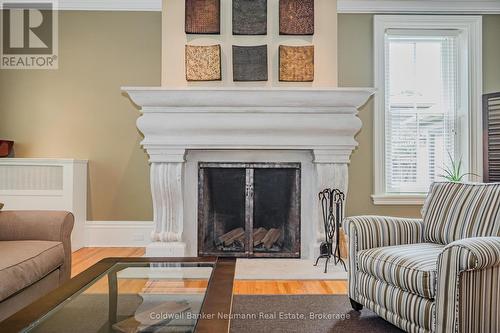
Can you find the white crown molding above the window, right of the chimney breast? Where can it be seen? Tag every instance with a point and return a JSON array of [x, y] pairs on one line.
[[419, 6]]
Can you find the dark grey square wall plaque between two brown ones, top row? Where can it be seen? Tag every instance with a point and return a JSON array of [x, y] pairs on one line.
[[249, 17]]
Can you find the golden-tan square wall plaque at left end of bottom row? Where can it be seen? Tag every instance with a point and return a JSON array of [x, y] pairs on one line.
[[203, 63]]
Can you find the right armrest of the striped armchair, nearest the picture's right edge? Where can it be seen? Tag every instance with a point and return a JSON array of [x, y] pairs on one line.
[[454, 282]]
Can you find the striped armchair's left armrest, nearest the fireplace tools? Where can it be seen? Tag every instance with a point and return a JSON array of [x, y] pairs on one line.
[[366, 232]]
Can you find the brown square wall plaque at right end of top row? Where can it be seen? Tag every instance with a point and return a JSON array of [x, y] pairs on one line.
[[296, 17]]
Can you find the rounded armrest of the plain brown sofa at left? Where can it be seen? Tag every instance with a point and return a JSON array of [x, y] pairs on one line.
[[40, 225]]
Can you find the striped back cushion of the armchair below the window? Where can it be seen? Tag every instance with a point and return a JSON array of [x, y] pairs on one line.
[[455, 211]]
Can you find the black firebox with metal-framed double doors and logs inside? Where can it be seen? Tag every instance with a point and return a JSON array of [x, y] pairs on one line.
[[249, 209]]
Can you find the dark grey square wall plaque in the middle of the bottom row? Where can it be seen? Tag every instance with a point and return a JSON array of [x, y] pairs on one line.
[[250, 63]]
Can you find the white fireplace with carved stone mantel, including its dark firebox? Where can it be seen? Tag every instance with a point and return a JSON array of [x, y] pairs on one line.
[[184, 127]]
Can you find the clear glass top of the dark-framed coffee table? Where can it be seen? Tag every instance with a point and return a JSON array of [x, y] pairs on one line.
[[134, 297]]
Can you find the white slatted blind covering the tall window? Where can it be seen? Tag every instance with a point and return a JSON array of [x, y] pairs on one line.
[[421, 107]]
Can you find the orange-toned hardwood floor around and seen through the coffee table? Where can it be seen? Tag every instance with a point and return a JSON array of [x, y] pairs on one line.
[[86, 257]]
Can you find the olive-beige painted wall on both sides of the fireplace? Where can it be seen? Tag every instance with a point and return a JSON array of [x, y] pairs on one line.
[[78, 111]]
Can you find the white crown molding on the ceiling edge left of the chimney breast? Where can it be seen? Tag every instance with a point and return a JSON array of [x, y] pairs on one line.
[[111, 5]]
